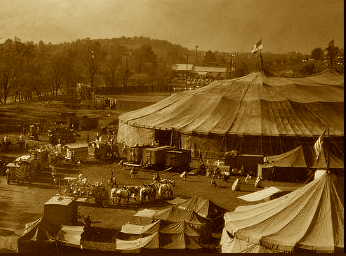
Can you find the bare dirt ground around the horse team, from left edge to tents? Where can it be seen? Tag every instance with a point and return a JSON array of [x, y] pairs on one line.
[[20, 204]]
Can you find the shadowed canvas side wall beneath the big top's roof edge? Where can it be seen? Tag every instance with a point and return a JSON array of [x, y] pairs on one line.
[[214, 146]]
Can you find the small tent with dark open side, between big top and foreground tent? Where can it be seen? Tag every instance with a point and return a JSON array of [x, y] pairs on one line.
[[288, 166]]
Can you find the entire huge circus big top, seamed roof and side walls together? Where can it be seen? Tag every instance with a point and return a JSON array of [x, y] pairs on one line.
[[254, 114]]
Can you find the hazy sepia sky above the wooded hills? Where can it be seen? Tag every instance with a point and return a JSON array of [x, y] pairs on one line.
[[216, 25]]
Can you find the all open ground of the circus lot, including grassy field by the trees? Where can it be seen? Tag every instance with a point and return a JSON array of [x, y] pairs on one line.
[[20, 204]]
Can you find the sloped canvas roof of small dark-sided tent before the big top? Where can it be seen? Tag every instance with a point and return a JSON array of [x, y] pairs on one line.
[[292, 158]]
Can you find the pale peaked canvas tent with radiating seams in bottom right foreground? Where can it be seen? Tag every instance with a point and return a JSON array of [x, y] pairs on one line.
[[310, 218]]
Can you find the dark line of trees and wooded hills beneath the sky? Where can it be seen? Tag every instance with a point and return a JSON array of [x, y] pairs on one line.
[[30, 70]]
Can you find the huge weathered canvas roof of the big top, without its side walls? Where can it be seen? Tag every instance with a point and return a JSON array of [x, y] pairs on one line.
[[254, 105]]
